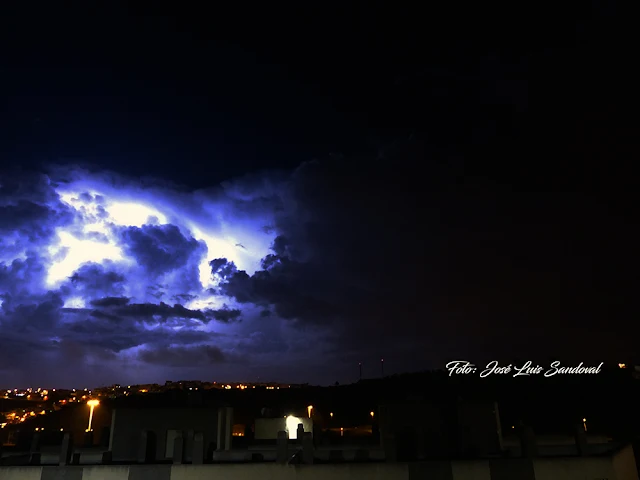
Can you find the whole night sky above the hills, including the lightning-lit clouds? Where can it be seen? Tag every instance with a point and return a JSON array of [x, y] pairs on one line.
[[279, 193]]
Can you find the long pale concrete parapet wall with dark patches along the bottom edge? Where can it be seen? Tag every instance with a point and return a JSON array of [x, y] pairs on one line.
[[620, 466]]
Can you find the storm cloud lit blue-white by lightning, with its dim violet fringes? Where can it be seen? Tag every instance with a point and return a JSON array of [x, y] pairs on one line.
[[123, 275]]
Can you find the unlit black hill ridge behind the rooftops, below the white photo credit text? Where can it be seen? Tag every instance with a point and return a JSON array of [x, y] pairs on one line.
[[551, 405]]
